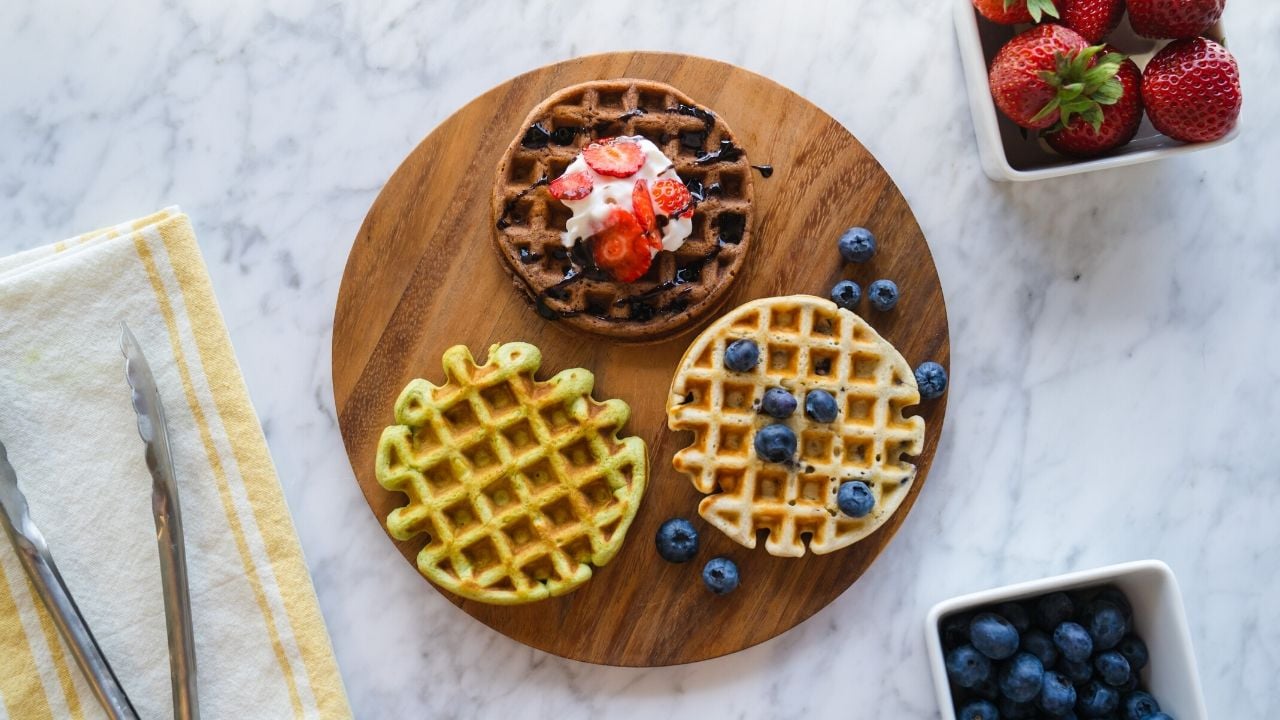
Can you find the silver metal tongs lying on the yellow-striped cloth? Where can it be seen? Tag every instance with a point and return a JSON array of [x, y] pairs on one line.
[[39, 563]]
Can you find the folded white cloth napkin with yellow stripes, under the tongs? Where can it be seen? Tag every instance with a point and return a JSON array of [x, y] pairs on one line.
[[262, 648]]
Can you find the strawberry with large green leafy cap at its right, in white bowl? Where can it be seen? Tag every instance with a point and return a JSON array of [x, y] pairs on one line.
[[1049, 75]]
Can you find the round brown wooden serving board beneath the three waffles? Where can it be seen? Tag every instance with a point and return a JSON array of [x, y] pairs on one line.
[[424, 276]]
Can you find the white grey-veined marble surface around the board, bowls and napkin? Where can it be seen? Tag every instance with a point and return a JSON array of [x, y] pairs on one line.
[[1116, 394]]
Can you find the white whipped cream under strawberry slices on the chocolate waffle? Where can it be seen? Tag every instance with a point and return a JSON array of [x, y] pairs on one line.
[[609, 193]]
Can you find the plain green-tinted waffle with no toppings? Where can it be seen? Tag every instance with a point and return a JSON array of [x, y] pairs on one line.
[[520, 486]]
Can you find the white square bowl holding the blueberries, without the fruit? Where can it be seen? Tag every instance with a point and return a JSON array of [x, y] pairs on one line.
[[1159, 619]]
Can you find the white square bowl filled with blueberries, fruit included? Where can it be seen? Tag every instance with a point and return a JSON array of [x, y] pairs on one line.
[[1110, 644]]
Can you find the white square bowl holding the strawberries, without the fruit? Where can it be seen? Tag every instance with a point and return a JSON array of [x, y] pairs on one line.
[[1011, 154]]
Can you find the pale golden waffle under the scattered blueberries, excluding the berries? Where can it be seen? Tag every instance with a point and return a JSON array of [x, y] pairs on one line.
[[806, 344]]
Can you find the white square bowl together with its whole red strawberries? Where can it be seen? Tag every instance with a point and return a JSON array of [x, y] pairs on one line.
[[1067, 86]]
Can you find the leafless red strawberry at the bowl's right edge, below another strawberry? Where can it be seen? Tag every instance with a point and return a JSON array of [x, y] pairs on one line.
[[1192, 90]]
